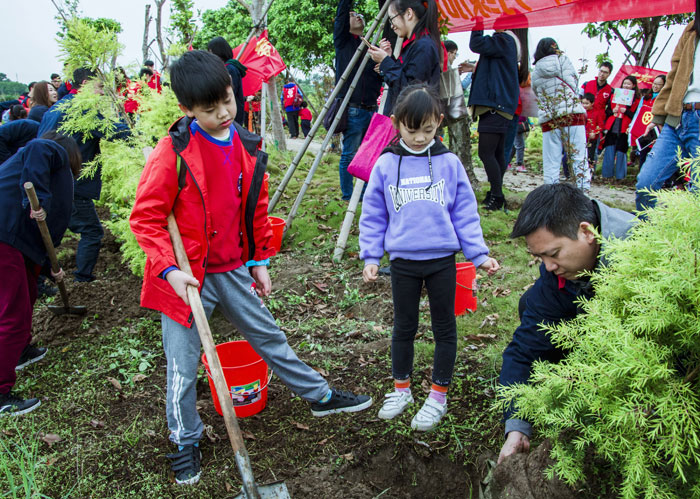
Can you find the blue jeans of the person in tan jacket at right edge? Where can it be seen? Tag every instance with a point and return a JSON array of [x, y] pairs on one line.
[[662, 160]]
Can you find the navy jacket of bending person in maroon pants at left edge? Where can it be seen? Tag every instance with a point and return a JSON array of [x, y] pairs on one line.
[[46, 165]]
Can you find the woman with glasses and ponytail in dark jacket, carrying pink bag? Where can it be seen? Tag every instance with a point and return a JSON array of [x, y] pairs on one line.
[[422, 55]]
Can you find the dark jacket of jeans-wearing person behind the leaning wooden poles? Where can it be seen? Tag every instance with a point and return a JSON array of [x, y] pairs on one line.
[[367, 90]]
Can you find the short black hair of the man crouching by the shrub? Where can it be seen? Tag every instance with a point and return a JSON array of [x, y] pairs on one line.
[[559, 208]]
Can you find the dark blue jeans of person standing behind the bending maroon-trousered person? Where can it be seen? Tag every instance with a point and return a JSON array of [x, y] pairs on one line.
[[84, 221]]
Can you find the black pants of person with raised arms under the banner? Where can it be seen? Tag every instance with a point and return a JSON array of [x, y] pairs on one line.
[[492, 129]]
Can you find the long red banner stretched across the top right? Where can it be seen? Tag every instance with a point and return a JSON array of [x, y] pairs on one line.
[[462, 15]]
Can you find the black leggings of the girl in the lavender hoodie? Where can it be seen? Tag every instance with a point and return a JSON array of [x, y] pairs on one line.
[[407, 278]]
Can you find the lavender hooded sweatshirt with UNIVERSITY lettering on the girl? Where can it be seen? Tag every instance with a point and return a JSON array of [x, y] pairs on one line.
[[416, 223]]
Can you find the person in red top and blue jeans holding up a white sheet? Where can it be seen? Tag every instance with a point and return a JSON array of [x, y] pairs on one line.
[[616, 138]]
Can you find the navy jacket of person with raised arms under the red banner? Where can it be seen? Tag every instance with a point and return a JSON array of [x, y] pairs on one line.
[[495, 81]]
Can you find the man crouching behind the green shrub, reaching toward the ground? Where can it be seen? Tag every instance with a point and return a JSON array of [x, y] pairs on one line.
[[559, 224]]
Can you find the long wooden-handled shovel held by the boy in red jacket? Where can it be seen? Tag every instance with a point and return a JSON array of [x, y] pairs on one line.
[[250, 489]]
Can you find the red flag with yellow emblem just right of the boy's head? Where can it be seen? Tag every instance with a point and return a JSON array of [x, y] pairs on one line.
[[263, 62]]
